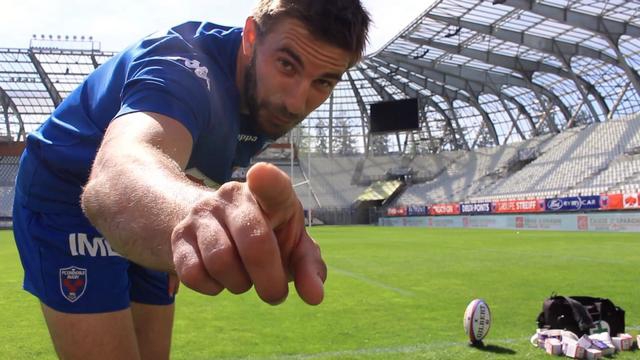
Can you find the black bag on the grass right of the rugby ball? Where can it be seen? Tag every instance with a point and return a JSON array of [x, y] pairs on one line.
[[581, 315]]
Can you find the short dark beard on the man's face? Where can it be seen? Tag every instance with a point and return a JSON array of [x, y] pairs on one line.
[[254, 106]]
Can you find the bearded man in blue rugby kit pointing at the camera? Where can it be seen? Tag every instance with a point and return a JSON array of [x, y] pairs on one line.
[[104, 211]]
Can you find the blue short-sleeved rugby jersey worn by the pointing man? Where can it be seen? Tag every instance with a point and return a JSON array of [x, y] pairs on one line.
[[187, 73]]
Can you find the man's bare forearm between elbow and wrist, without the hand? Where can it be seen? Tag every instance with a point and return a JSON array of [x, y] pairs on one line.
[[135, 197]]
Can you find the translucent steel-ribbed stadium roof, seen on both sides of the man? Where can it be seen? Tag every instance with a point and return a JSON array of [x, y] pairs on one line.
[[485, 72]]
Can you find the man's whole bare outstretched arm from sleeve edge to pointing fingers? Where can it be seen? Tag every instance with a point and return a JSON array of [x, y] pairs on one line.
[[244, 234]]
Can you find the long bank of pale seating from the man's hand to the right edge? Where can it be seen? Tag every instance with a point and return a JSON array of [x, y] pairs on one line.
[[584, 160]]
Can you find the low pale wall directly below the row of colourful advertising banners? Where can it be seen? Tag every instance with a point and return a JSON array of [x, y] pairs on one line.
[[603, 222]]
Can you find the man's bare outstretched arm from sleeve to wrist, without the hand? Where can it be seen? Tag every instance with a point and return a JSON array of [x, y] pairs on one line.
[[137, 191]]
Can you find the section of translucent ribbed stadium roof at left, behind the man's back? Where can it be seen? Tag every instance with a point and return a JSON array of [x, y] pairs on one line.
[[34, 81]]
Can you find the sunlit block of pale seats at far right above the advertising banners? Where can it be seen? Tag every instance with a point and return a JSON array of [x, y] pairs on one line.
[[584, 160]]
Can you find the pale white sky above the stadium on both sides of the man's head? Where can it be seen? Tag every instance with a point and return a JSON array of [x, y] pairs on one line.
[[117, 23]]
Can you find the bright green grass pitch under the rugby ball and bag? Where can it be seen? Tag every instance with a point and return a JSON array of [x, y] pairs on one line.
[[392, 293]]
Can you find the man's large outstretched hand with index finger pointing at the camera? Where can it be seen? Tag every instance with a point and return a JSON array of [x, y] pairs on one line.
[[250, 234]]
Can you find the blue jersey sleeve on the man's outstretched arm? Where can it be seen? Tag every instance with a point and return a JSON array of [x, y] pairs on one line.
[[177, 87]]
